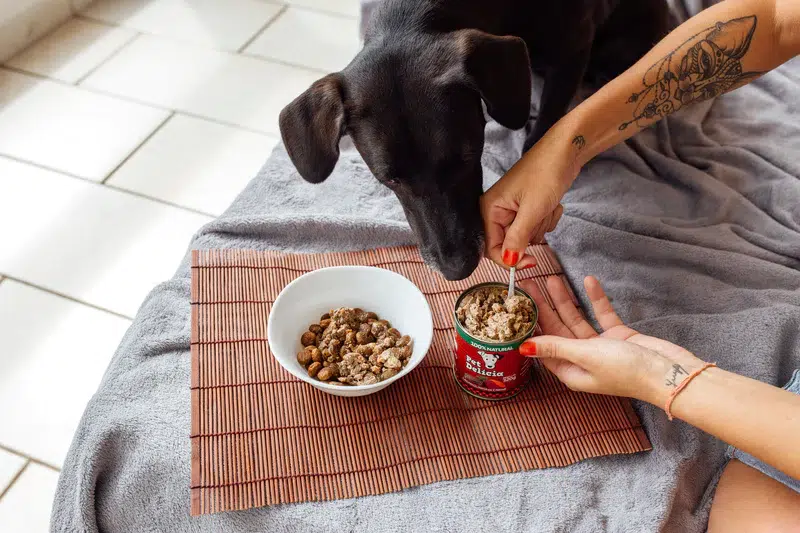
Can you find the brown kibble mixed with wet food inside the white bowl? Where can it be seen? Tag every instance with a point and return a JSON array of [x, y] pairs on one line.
[[353, 347]]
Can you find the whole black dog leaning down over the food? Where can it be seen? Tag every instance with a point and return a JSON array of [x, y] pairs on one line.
[[411, 99]]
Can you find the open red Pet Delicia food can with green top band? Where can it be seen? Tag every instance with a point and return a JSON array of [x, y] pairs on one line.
[[486, 368]]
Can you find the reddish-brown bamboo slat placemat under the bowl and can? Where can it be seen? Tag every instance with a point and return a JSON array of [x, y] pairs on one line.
[[262, 437]]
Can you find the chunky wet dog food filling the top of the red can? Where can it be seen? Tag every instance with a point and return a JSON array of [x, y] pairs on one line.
[[490, 314]]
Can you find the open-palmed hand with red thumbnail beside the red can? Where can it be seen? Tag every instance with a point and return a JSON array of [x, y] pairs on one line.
[[620, 361]]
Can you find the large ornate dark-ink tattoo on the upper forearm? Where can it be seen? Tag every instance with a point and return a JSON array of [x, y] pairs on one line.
[[705, 66]]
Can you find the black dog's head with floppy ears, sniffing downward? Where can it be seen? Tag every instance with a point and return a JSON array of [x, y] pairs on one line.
[[412, 106]]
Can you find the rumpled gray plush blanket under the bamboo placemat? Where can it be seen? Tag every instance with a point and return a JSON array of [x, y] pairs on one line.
[[693, 226]]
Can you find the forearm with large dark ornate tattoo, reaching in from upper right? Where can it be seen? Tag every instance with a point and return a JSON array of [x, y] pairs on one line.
[[722, 48]]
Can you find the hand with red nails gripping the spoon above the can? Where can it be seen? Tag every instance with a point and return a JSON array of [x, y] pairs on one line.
[[525, 203]]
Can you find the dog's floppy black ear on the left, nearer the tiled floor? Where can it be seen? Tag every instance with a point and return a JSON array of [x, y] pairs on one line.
[[311, 127]]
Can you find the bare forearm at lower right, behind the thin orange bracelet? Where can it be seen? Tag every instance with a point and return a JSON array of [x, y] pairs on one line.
[[757, 418]]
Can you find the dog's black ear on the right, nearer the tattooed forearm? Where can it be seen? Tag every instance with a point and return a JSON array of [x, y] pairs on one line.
[[500, 70]]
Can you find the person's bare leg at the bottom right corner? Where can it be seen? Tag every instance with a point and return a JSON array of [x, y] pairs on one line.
[[748, 501]]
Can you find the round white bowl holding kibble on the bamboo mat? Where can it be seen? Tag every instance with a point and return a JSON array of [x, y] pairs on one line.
[[303, 301]]
